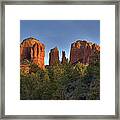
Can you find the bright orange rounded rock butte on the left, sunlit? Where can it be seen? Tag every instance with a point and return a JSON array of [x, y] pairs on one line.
[[32, 50]]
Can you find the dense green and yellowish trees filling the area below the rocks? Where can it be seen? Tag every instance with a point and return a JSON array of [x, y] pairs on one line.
[[61, 82]]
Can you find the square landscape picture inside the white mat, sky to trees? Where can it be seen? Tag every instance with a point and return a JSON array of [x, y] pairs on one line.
[[60, 60]]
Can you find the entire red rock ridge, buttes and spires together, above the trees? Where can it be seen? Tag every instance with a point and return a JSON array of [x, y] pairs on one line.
[[33, 50]]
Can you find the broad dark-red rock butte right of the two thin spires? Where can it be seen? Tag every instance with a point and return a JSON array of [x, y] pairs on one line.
[[82, 51]]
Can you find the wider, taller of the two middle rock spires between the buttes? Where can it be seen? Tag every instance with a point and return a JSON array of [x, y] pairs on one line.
[[53, 56]]
